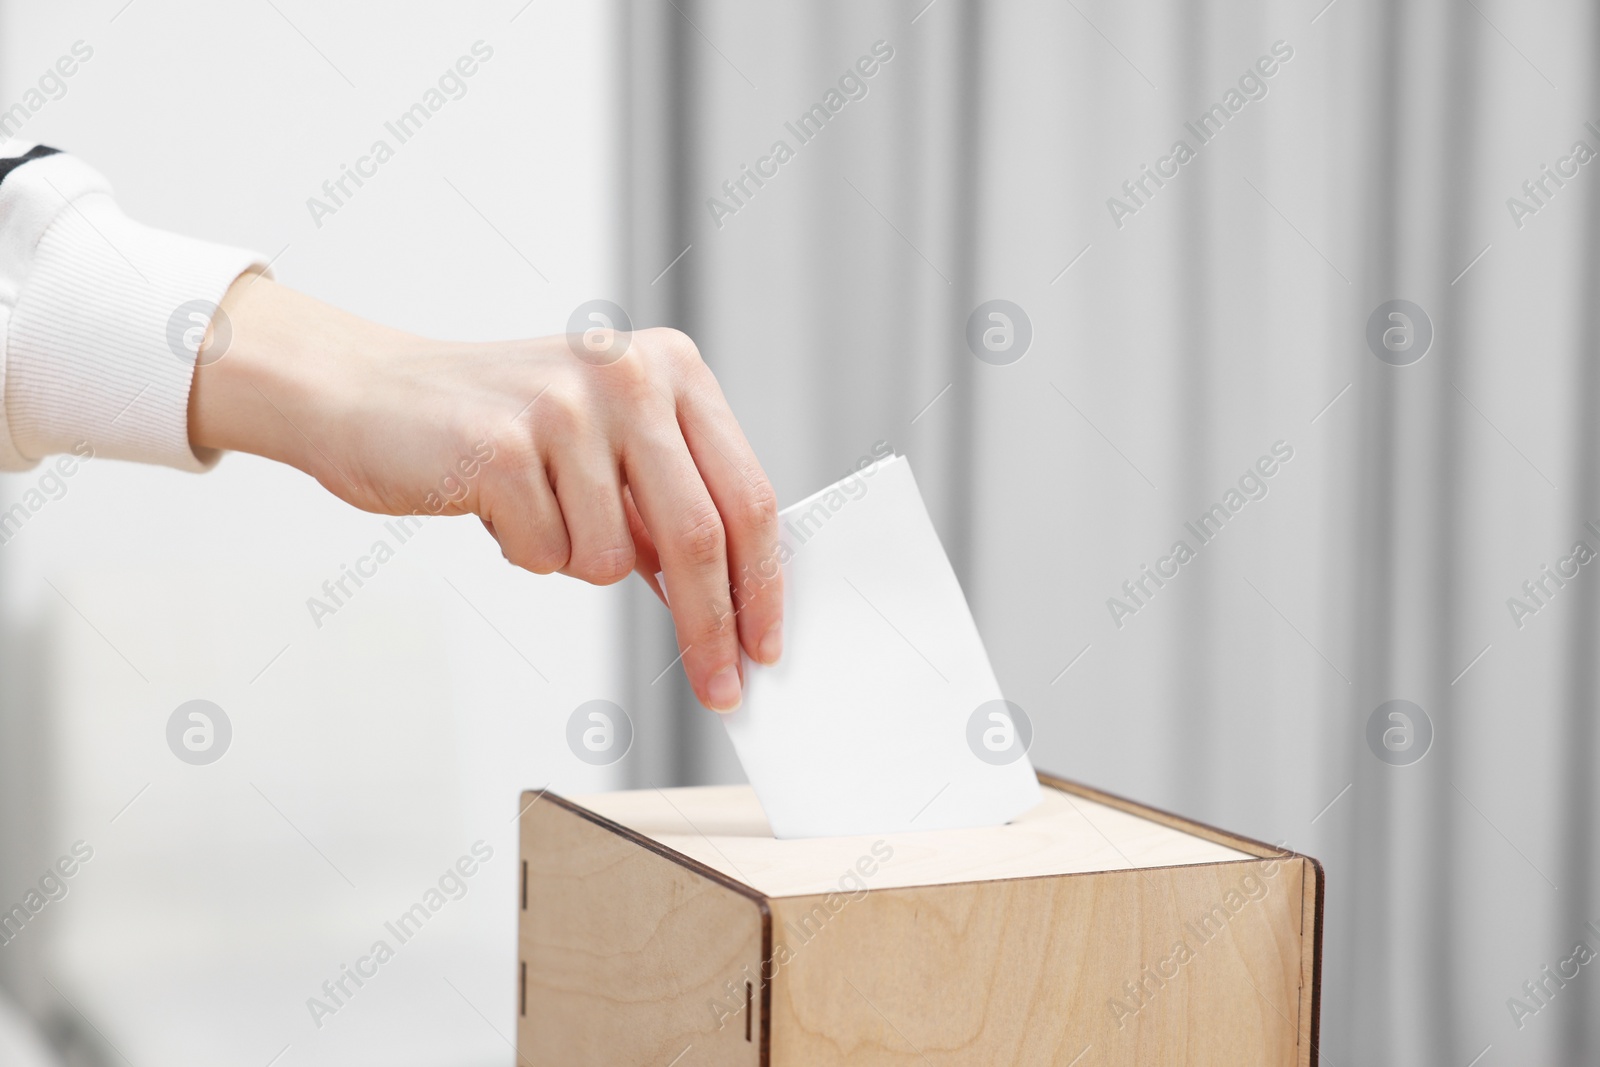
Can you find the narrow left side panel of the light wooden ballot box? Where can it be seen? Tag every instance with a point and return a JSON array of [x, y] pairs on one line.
[[625, 953]]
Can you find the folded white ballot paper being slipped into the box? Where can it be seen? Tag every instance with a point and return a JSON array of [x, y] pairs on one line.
[[884, 714]]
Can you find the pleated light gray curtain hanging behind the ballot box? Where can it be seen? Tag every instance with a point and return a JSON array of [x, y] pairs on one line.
[[1177, 342]]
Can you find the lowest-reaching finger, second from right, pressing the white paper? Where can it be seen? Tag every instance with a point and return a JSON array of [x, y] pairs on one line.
[[687, 530]]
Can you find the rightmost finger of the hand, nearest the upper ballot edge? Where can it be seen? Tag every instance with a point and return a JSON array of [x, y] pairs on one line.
[[748, 508]]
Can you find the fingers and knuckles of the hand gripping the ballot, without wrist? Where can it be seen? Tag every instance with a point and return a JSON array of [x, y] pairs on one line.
[[641, 465]]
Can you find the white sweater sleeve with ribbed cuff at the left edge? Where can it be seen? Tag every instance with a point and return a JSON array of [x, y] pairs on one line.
[[100, 319]]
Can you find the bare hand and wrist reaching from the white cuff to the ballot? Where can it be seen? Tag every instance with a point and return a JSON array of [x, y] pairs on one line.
[[623, 460]]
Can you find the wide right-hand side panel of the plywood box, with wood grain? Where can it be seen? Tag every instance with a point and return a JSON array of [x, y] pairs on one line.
[[1033, 972]]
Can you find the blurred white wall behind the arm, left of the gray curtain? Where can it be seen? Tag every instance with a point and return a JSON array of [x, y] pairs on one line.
[[374, 751]]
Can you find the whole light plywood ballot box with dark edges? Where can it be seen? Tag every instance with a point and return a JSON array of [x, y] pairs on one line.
[[668, 927]]
